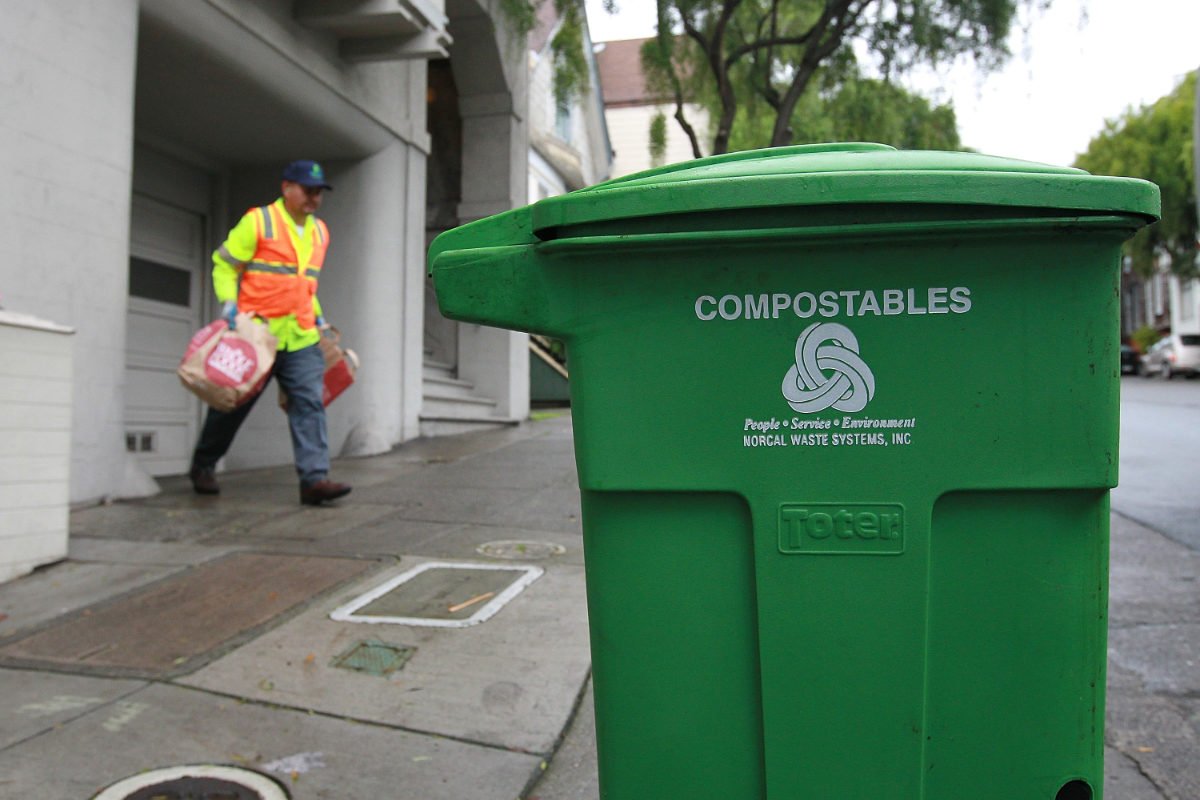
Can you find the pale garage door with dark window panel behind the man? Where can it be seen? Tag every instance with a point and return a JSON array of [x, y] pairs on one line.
[[166, 296]]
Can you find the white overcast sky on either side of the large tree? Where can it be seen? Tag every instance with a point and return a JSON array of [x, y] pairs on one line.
[[1075, 67]]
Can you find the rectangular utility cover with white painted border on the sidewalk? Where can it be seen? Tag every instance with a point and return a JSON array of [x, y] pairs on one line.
[[441, 594]]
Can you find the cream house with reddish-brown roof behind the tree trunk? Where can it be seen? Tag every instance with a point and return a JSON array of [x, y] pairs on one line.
[[631, 110]]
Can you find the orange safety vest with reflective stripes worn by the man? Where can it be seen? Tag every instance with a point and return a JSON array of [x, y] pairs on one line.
[[272, 282]]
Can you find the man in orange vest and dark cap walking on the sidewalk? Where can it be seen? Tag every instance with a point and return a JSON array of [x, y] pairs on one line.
[[269, 267]]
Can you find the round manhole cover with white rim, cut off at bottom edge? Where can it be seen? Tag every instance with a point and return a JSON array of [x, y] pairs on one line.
[[196, 783]]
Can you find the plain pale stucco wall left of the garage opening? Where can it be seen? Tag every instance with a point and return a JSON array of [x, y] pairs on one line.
[[67, 88]]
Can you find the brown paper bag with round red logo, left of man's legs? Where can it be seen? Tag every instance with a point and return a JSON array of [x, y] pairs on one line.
[[227, 368]]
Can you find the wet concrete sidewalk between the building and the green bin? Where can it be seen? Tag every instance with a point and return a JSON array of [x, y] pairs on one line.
[[190, 630]]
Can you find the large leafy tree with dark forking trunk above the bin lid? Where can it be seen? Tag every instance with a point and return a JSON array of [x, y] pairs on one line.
[[763, 58]]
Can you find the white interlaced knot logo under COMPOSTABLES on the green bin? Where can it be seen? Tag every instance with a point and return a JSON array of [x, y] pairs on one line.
[[829, 372]]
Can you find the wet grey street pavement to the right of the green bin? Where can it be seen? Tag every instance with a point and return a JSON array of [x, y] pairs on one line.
[[1153, 736]]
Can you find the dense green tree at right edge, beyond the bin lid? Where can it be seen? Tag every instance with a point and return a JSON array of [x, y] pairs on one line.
[[1156, 143]]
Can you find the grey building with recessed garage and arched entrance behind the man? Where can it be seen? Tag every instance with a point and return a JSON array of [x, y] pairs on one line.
[[139, 131]]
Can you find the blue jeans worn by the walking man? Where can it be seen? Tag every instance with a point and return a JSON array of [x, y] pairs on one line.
[[302, 377]]
